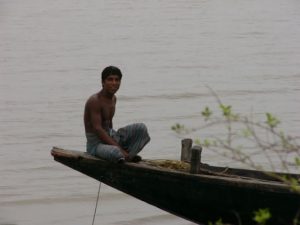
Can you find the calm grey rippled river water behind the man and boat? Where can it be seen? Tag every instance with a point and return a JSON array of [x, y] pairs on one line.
[[51, 57]]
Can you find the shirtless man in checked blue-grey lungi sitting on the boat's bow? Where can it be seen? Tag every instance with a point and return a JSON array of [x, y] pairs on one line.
[[102, 140]]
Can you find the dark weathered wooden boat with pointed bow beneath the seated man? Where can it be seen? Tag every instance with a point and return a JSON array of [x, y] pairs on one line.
[[215, 192]]
